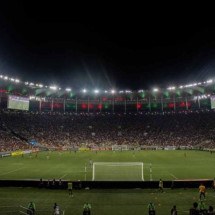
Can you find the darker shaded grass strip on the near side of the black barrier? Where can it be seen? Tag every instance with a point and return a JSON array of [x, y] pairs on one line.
[[104, 202]]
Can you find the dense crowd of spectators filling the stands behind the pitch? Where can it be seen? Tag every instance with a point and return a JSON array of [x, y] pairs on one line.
[[103, 129]]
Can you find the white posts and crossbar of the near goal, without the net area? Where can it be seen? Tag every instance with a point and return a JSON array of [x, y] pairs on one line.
[[119, 164]]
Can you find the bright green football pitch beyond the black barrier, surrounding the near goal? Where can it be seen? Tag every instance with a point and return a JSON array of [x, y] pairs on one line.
[[167, 165]]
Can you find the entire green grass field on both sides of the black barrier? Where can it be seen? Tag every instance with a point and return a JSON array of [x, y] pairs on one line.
[[167, 165]]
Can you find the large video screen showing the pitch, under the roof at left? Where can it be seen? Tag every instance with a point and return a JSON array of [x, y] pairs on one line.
[[18, 103]]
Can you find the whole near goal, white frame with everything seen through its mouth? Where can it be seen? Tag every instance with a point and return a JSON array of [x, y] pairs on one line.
[[118, 171]]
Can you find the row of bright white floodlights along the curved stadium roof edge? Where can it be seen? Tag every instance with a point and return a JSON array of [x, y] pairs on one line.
[[96, 91]]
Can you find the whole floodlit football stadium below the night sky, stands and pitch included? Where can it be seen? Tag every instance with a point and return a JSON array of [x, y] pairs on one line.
[[106, 151]]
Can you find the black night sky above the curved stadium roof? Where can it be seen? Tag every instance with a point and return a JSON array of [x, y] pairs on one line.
[[106, 46]]
